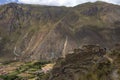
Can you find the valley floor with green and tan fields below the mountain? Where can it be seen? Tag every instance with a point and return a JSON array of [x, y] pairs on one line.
[[28, 71]]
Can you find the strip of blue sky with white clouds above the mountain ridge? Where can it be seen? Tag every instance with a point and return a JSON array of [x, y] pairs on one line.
[[57, 2]]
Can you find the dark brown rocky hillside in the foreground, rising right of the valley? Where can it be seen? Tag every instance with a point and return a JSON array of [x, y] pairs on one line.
[[87, 65]]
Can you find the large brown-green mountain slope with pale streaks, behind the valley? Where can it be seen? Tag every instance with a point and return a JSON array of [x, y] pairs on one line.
[[36, 32]]
